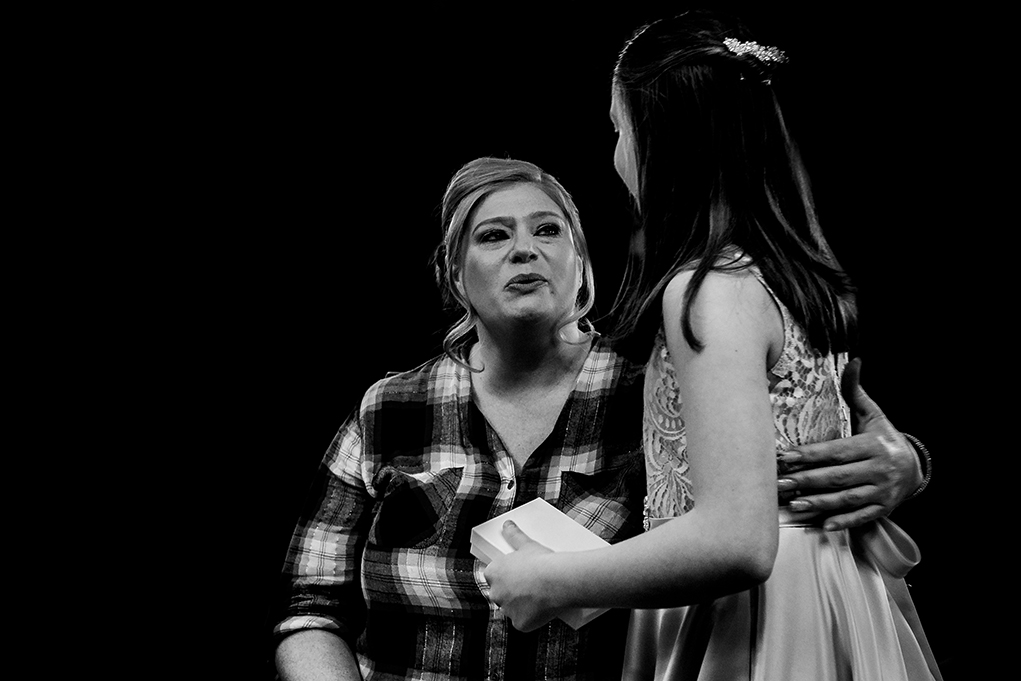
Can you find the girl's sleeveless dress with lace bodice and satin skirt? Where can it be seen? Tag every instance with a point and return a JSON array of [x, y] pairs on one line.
[[836, 606]]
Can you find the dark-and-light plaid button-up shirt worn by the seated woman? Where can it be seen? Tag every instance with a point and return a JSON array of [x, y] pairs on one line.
[[381, 555]]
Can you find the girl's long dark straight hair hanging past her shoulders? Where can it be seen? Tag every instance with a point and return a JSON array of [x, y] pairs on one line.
[[719, 173]]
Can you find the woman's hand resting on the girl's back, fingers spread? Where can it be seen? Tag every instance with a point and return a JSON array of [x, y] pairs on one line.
[[857, 479]]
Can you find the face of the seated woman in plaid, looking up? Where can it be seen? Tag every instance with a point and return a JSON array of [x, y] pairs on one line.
[[520, 262]]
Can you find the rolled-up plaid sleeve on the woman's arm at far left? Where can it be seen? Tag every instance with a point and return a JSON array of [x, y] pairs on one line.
[[322, 573]]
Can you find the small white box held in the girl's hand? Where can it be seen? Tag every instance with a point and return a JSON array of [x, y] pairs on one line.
[[550, 527]]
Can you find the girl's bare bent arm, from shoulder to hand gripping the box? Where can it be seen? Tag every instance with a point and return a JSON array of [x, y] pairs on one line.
[[721, 547]]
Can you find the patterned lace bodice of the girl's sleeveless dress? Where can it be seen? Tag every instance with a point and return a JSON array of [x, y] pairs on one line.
[[805, 394]]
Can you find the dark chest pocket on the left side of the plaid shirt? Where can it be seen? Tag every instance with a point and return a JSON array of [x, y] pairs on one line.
[[412, 510]]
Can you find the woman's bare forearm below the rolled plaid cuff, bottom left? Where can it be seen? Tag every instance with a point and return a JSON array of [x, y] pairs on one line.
[[316, 655]]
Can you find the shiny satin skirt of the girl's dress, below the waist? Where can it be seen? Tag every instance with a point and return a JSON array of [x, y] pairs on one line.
[[836, 608]]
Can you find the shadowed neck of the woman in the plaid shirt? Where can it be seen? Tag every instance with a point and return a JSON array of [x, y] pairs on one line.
[[528, 359]]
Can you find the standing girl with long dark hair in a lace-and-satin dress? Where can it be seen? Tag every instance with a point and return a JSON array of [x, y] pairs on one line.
[[746, 318]]
